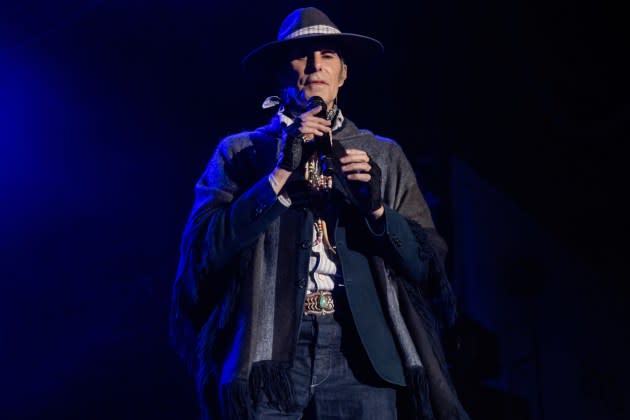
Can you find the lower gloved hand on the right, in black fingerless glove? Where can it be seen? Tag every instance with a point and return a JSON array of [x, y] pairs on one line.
[[364, 180]]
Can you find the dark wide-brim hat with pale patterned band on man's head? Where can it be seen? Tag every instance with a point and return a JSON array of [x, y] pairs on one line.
[[306, 26]]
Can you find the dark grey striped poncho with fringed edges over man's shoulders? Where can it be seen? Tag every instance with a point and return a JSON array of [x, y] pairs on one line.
[[229, 323]]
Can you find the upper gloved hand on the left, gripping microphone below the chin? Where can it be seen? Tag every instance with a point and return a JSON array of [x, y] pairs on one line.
[[304, 129]]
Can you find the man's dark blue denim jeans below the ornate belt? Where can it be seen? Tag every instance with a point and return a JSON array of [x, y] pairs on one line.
[[332, 377]]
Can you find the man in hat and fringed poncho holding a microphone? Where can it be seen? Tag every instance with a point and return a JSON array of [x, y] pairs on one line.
[[310, 264]]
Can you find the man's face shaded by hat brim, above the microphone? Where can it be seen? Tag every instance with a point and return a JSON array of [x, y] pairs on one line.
[[317, 71]]
